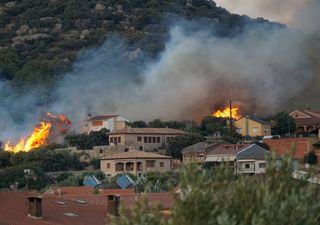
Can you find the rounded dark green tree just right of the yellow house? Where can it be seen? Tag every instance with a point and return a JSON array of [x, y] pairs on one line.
[[284, 124]]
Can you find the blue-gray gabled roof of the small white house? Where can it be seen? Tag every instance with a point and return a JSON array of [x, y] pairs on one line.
[[253, 151]]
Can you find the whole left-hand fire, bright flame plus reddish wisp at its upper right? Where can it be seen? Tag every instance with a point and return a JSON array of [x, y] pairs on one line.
[[40, 133]]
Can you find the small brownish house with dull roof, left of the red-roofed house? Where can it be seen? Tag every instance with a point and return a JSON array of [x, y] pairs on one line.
[[196, 153]]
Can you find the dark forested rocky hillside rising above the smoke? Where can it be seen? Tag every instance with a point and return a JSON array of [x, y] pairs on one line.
[[39, 39]]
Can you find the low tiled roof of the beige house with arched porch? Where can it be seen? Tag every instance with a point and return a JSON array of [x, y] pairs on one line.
[[135, 154]]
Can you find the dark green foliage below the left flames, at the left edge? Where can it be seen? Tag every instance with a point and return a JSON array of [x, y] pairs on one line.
[[39, 161]]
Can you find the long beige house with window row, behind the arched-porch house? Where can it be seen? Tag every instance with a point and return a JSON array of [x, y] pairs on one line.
[[143, 138]]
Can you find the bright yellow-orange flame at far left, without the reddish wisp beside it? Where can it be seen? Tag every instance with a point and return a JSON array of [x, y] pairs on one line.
[[38, 138]]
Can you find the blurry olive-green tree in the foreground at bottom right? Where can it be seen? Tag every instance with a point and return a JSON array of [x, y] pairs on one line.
[[220, 198]]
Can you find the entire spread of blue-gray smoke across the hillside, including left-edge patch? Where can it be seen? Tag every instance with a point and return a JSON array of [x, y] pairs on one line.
[[263, 69]]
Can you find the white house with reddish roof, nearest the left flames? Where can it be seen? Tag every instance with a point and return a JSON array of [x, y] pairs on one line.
[[109, 122]]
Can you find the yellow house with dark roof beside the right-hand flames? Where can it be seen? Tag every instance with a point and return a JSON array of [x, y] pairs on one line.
[[252, 126]]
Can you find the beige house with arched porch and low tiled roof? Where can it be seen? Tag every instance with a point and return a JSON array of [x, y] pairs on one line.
[[135, 162]]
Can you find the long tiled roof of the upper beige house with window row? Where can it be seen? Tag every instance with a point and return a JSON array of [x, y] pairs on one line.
[[130, 130]]
